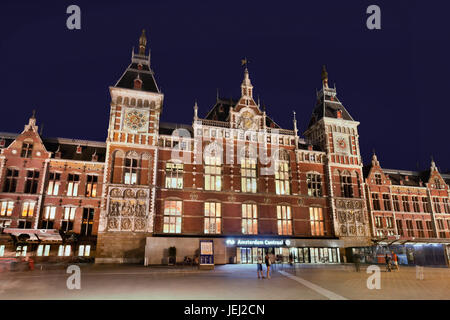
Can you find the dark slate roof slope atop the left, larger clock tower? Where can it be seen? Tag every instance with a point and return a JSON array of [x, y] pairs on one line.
[[145, 74]]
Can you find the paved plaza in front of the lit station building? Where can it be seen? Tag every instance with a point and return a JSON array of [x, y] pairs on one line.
[[229, 282]]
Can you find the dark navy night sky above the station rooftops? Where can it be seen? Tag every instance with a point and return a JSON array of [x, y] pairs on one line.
[[394, 80]]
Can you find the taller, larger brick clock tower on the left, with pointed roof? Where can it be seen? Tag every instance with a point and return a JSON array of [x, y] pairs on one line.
[[127, 211]]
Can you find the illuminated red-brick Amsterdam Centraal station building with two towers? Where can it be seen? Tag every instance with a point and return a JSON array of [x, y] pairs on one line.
[[232, 176]]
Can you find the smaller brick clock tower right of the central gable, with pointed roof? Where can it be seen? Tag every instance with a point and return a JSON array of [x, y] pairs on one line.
[[336, 132]]
